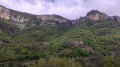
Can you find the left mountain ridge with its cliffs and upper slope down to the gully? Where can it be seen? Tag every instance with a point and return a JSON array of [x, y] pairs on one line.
[[15, 22]]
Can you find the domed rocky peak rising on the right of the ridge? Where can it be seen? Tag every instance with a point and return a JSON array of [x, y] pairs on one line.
[[96, 15]]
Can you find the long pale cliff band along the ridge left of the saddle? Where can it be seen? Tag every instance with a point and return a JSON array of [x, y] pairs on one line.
[[25, 17]]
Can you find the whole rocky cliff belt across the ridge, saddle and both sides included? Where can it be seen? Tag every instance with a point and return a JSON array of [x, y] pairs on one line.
[[29, 20]]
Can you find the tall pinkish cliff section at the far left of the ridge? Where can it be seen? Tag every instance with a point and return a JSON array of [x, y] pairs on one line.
[[14, 15]]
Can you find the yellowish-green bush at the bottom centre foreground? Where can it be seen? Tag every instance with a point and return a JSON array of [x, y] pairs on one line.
[[57, 62]]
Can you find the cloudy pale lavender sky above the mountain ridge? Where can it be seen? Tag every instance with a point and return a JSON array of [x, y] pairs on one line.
[[71, 9]]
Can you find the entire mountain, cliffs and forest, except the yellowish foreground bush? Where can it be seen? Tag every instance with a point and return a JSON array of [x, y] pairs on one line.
[[93, 40]]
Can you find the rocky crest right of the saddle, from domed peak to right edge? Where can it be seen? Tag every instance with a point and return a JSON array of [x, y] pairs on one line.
[[95, 15]]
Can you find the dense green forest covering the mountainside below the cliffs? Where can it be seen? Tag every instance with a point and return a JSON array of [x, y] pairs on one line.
[[95, 44]]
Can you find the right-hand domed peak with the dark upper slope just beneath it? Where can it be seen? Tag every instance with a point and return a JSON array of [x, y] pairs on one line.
[[95, 17]]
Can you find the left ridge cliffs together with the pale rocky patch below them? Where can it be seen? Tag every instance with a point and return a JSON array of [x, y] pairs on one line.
[[25, 19]]
